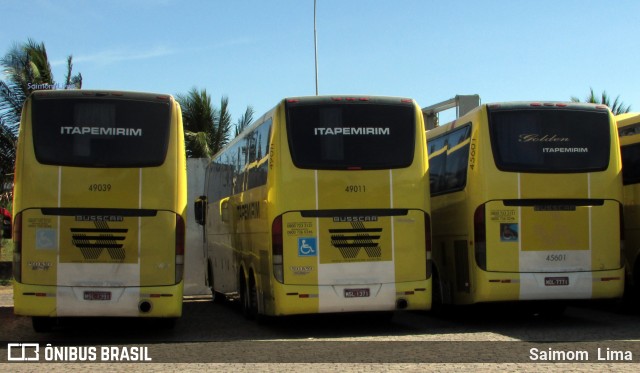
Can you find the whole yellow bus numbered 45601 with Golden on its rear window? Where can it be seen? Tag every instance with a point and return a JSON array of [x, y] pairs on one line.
[[526, 205]]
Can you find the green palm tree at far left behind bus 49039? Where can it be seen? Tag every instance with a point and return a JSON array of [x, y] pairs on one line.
[[26, 68]]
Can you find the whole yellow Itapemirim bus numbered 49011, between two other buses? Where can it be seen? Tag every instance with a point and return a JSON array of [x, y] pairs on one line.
[[322, 206]]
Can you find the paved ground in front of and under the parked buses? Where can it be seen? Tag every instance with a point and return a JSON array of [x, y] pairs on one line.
[[213, 336]]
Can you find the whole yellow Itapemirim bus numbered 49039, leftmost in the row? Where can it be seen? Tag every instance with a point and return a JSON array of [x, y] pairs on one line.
[[99, 206]]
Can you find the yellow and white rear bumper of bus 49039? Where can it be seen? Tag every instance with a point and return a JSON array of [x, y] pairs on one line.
[[60, 301]]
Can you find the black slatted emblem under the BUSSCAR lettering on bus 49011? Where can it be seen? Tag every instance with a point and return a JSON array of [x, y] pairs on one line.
[[350, 241]]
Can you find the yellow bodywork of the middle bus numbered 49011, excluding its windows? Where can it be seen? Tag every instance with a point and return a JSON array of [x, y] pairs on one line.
[[317, 274]]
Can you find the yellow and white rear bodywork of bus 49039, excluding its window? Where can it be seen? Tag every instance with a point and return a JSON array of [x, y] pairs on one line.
[[63, 209]]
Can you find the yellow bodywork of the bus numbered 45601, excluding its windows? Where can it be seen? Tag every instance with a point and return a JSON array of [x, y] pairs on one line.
[[580, 246]]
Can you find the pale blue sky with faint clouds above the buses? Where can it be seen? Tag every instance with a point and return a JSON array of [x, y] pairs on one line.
[[257, 52]]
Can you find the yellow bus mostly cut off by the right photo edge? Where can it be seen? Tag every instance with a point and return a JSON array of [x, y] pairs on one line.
[[629, 131]]
